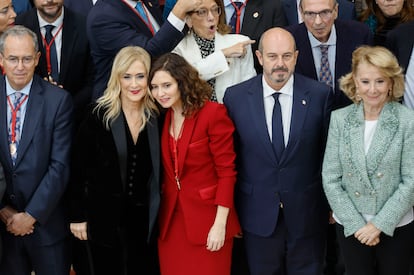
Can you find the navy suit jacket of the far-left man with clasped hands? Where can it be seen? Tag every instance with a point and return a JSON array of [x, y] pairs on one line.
[[37, 181]]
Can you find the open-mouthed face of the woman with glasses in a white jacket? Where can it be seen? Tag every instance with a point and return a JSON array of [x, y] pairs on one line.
[[205, 24]]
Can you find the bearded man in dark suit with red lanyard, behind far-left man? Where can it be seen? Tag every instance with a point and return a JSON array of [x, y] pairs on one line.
[[75, 70]]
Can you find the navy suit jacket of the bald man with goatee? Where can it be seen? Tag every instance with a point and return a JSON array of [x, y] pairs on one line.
[[262, 181]]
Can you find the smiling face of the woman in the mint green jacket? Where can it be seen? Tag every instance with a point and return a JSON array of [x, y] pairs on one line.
[[372, 86]]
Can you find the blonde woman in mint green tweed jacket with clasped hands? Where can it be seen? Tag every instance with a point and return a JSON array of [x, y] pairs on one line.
[[368, 168]]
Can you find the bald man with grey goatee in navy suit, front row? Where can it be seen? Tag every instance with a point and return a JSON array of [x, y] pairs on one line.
[[279, 196]]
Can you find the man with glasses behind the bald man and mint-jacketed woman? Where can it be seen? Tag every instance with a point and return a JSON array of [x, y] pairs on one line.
[[326, 44]]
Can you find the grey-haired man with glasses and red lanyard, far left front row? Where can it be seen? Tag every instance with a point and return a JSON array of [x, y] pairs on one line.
[[34, 151]]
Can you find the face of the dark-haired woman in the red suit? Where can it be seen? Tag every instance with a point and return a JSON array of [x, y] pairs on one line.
[[164, 89]]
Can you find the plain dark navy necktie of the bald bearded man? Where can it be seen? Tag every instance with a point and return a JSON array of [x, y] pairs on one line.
[[278, 139]]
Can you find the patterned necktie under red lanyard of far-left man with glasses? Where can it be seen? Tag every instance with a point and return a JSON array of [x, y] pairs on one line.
[[17, 126]]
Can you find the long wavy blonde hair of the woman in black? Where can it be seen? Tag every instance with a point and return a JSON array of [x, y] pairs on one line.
[[110, 101]]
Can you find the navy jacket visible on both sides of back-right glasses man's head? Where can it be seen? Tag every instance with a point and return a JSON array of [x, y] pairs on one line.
[[346, 11]]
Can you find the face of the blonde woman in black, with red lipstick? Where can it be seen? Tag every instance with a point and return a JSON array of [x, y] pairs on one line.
[[134, 83]]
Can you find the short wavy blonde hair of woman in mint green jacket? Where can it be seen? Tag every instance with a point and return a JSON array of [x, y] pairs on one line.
[[380, 58]]
